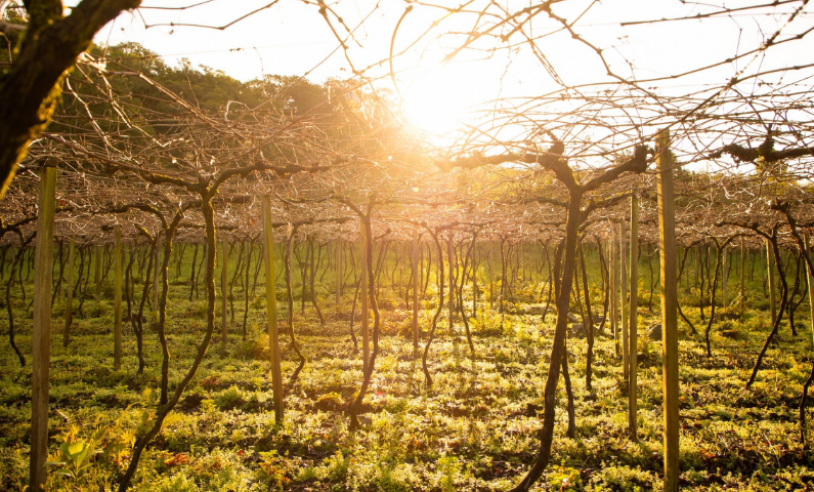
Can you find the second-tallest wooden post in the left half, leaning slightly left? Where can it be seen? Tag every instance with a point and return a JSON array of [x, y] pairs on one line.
[[271, 311]]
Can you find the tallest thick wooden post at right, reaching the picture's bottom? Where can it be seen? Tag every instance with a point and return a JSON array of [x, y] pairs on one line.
[[669, 310]]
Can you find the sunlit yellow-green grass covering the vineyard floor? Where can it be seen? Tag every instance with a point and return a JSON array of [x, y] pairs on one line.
[[476, 429]]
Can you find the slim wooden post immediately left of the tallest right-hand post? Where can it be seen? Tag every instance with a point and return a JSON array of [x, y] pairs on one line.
[[633, 316]]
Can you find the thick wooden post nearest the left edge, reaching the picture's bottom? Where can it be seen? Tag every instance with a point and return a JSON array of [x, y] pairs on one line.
[[41, 335]]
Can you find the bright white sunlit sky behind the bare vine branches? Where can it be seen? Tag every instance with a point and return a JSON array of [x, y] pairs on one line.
[[291, 38]]
